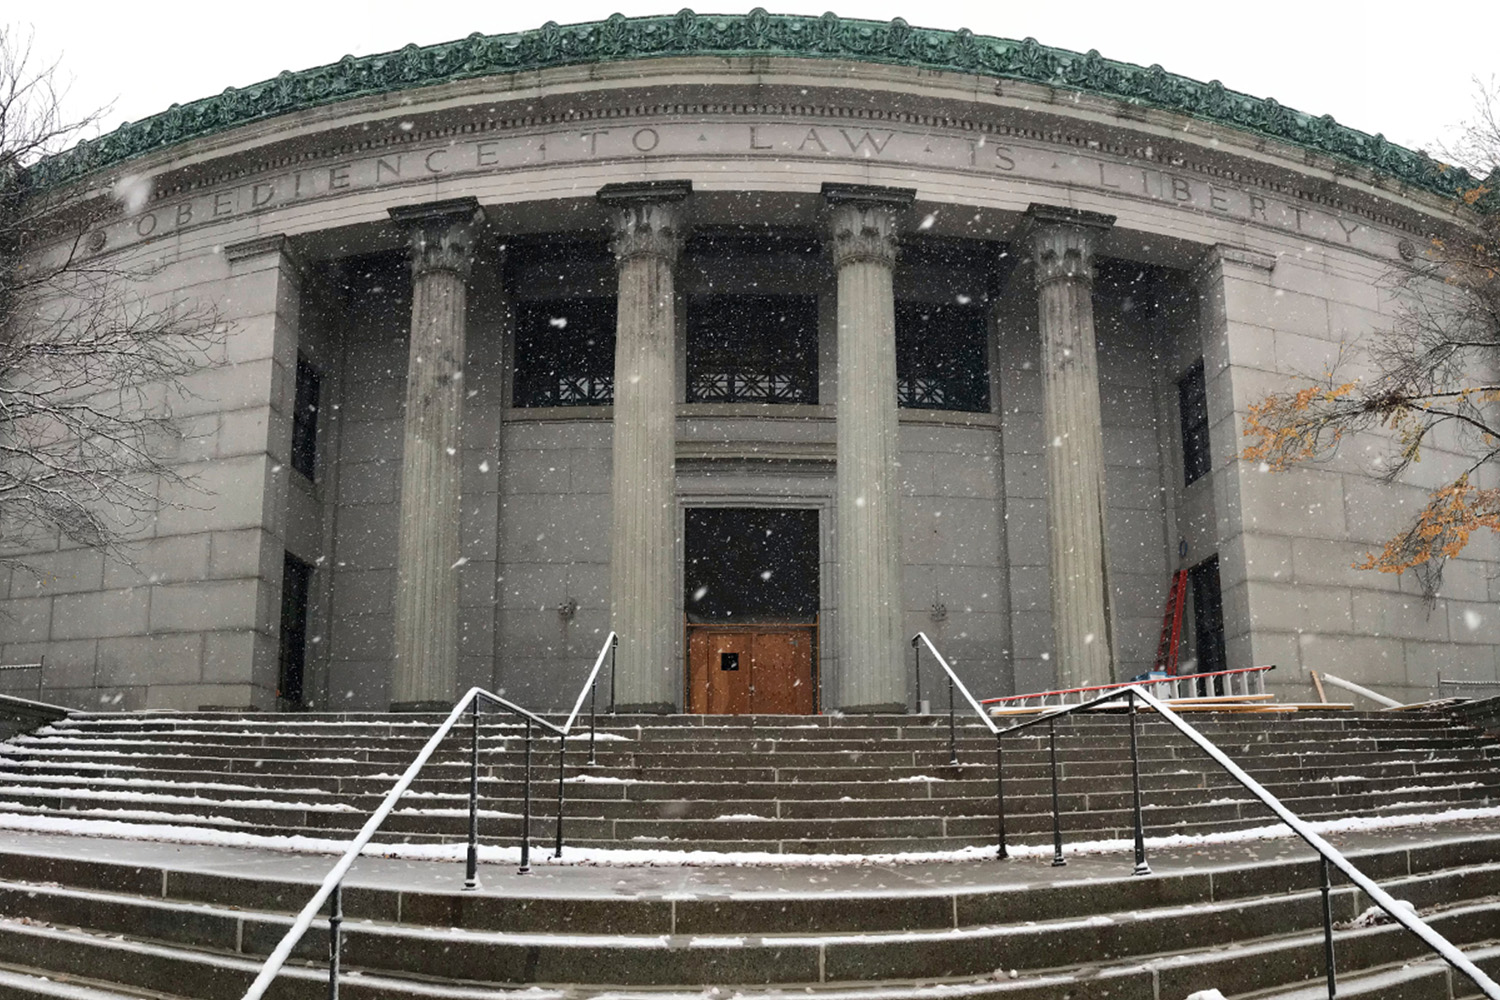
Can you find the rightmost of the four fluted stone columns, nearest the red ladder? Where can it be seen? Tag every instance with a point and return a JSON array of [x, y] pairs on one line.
[[1061, 244]]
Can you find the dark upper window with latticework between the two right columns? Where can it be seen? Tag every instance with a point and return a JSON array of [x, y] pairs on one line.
[[941, 358]]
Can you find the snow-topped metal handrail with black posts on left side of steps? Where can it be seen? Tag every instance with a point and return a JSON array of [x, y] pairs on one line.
[[332, 885]]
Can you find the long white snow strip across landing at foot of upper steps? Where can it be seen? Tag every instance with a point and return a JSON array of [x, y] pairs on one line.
[[494, 854]]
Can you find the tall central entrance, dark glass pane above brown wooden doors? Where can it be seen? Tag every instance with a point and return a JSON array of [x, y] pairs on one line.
[[752, 611]]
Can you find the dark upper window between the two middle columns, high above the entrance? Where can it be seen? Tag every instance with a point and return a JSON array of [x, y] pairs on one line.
[[752, 350]]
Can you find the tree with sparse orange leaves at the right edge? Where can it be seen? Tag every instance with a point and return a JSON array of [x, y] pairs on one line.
[[1426, 374]]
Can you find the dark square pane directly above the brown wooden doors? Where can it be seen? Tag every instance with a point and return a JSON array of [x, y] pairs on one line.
[[749, 564]]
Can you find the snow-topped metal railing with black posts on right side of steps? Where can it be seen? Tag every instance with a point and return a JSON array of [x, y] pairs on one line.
[[1127, 698]]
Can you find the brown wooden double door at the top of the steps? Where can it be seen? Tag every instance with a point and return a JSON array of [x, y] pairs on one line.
[[743, 671]]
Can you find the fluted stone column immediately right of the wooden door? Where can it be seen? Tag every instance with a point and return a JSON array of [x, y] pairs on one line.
[[872, 654]]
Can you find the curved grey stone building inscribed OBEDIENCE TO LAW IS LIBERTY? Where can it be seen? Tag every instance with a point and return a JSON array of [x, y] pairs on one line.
[[541, 337]]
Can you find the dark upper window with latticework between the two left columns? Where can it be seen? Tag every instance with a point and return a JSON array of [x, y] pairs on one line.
[[566, 353]]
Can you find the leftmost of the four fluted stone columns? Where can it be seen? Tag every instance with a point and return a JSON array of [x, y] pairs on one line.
[[427, 668]]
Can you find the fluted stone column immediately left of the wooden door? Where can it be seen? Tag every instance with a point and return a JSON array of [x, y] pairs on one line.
[[643, 551]]
